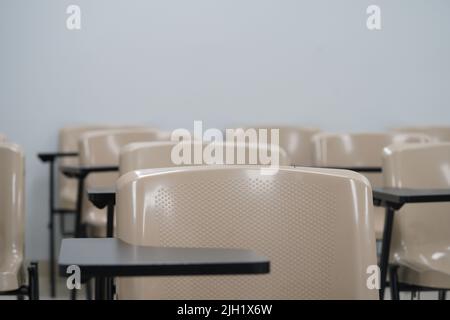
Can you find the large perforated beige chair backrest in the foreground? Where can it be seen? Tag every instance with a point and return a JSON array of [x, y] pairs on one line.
[[313, 224]]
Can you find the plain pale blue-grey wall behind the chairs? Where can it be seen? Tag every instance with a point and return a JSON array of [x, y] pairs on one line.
[[169, 62]]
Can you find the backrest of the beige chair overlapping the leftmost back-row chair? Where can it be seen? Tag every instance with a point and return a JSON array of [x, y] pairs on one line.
[[101, 148]]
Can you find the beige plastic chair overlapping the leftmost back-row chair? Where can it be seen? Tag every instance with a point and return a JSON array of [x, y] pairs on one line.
[[102, 148]]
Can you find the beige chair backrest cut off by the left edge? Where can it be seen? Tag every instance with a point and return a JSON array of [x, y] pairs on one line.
[[12, 215]]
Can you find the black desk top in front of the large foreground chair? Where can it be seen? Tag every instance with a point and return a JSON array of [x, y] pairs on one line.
[[111, 257]]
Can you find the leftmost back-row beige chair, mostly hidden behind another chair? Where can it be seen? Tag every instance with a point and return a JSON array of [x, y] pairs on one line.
[[69, 142]]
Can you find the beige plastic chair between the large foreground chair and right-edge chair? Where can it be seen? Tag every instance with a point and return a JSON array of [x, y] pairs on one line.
[[360, 150]]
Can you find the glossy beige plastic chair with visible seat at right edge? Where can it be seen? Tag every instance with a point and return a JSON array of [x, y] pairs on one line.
[[421, 232]]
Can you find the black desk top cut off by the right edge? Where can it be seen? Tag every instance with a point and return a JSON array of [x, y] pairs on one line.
[[406, 195]]
